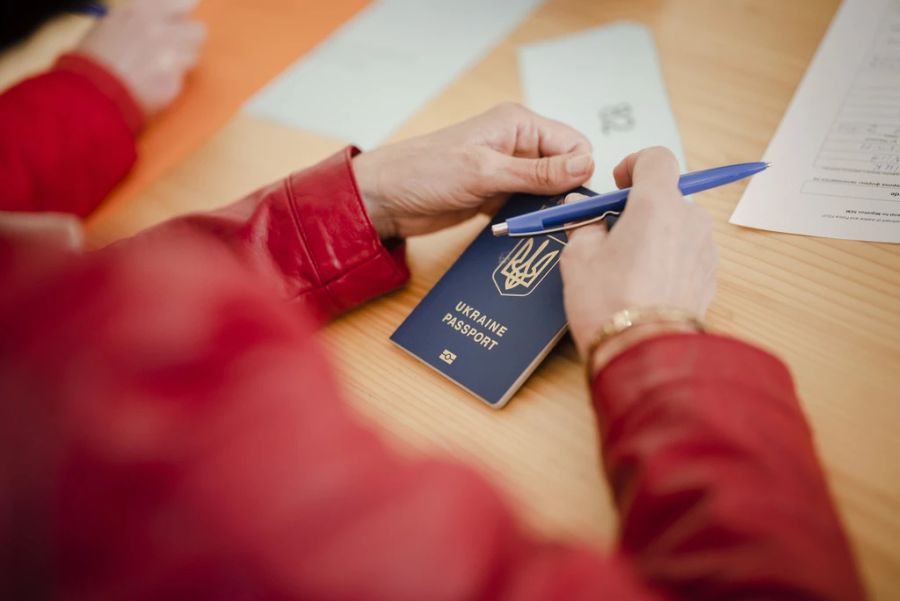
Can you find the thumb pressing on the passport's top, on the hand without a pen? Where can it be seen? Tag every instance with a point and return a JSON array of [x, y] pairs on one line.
[[545, 175]]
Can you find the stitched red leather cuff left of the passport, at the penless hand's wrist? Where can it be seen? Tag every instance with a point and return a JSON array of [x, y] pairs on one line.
[[350, 261]]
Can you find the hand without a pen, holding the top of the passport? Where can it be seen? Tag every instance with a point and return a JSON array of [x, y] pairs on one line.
[[427, 183]]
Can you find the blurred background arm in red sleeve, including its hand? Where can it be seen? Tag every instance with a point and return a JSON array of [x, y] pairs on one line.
[[67, 136]]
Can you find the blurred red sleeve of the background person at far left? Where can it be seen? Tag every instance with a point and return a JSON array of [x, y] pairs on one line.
[[66, 139]]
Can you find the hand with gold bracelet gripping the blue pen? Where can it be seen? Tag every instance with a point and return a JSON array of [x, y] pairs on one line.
[[660, 253]]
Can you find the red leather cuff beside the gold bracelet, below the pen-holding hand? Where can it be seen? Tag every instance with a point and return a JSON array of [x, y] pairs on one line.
[[697, 358]]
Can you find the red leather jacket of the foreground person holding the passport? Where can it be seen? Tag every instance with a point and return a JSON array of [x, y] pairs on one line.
[[170, 429]]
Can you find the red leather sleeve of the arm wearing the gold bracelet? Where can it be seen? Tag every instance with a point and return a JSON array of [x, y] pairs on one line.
[[715, 475]]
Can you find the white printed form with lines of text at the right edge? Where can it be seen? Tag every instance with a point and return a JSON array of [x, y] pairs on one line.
[[836, 154]]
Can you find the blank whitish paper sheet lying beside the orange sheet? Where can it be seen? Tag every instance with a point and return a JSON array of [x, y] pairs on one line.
[[371, 75]]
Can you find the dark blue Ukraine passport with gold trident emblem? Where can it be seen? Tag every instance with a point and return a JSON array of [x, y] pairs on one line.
[[496, 313]]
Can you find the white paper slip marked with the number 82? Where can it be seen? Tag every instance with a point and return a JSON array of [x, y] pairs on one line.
[[606, 83]]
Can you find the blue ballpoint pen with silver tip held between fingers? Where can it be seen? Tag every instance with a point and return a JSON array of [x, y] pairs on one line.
[[595, 208]]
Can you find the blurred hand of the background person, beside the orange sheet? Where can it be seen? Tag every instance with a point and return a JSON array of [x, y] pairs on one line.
[[149, 45]]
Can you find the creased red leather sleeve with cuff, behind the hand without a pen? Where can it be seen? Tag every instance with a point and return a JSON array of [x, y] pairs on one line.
[[309, 234]]
